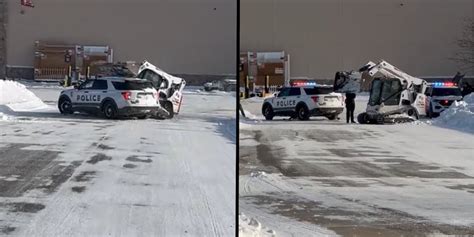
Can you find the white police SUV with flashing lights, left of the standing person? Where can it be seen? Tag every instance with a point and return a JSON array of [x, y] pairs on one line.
[[303, 102]]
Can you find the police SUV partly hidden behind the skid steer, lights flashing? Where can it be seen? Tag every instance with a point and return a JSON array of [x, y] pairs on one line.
[[439, 96]]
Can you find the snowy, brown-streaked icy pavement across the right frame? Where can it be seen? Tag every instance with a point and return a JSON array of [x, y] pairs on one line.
[[327, 178]]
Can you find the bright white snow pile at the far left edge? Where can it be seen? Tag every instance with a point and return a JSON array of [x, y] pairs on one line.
[[17, 97]]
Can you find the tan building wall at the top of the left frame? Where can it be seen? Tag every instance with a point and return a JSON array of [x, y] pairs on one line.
[[180, 36]]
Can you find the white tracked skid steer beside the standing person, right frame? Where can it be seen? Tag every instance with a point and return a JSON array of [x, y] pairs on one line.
[[395, 96]]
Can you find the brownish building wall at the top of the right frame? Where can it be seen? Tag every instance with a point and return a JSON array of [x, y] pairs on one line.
[[324, 36]]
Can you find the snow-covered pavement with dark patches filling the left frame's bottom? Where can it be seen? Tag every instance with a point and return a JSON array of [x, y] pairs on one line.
[[84, 176]]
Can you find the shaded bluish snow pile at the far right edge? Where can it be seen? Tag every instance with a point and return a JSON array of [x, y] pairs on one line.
[[459, 116]]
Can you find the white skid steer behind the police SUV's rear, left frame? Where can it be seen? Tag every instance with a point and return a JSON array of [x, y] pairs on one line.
[[169, 87]]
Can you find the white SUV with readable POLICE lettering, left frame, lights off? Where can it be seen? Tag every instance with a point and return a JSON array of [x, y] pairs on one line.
[[113, 97]]
